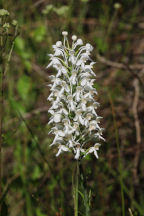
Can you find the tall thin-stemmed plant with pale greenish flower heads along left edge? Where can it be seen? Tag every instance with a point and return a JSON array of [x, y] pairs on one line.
[[8, 34]]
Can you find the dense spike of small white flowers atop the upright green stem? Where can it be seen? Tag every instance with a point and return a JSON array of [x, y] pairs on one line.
[[73, 111]]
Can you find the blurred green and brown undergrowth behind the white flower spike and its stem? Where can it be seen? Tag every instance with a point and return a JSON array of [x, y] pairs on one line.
[[35, 182]]
